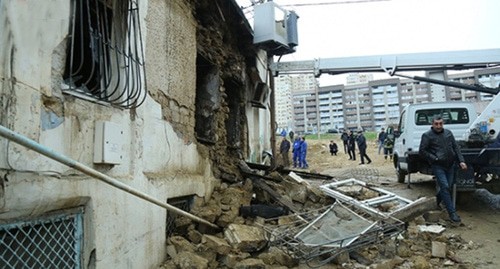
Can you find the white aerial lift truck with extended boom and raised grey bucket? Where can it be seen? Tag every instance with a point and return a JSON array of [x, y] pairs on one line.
[[276, 32]]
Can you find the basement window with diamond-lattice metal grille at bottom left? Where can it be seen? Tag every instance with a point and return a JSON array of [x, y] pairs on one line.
[[49, 242]]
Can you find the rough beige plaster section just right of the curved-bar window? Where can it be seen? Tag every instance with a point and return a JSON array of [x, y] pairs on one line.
[[171, 68]]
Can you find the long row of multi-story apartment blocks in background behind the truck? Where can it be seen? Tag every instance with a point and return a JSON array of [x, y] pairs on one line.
[[377, 103]]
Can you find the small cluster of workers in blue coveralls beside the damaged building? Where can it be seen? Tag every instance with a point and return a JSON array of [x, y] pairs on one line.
[[299, 151]]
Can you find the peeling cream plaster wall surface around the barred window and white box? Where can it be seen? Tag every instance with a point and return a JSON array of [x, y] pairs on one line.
[[161, 156]]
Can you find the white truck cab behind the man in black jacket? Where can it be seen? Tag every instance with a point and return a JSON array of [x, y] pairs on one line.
[[415, 119]]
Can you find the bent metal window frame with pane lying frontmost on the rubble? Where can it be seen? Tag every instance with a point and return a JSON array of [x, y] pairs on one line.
[[319, 236]]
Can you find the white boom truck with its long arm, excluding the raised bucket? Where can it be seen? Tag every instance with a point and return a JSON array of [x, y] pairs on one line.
[[473, 132]]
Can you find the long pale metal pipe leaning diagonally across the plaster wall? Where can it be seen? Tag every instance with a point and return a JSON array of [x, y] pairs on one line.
[[33, 145]]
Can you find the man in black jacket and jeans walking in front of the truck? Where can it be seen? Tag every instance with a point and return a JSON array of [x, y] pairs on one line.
[[439, 147]]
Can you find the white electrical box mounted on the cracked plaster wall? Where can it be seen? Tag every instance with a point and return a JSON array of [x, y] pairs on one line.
[[108, 143]]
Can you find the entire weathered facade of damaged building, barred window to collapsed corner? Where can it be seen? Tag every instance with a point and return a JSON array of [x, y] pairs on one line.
[[174, 133]]
